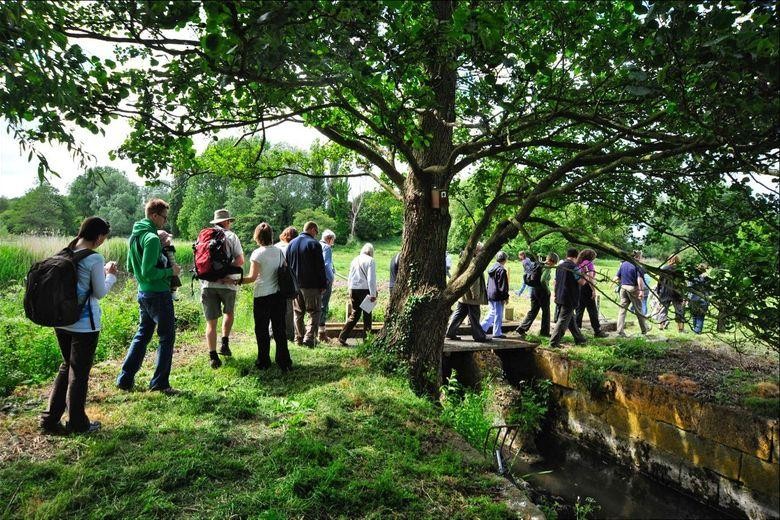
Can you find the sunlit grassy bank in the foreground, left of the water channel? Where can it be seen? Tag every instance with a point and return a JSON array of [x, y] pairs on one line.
[[331, 439]]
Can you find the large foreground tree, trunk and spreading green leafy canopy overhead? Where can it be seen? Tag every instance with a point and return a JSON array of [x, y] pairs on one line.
[[597, 104]]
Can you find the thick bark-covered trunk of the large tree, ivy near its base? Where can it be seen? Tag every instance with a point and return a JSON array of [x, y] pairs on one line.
[[418, 314]]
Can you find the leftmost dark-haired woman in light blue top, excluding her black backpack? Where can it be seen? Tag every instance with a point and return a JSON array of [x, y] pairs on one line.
[[78, 341]]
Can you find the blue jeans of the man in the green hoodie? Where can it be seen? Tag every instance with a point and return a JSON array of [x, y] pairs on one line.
[[156, 310]]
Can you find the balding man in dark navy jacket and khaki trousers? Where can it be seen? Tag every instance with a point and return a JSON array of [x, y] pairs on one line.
[[304, 256]]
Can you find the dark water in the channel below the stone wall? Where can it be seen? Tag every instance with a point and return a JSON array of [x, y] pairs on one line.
[[621, 493]]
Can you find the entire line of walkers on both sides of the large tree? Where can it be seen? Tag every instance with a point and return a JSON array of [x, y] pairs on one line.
[[151, 260]]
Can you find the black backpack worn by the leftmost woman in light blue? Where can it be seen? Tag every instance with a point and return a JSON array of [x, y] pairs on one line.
[[50, 295]]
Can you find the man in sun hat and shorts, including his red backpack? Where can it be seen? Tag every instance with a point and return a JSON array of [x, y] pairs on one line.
[[218, 259]]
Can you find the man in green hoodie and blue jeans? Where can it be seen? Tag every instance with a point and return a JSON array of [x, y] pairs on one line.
[[154, 300]]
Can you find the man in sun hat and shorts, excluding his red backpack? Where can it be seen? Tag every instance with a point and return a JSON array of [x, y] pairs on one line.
[[218, 298]]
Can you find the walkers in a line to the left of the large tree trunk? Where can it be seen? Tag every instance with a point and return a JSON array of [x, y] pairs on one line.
[[151, 261]]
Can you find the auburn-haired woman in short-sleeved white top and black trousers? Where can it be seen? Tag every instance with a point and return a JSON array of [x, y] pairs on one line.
[[268, 304]]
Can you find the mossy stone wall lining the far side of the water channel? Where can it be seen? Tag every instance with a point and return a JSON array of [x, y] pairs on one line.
[[724, 456]]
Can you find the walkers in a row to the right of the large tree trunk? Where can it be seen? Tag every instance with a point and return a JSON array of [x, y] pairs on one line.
[[574, 294]]
